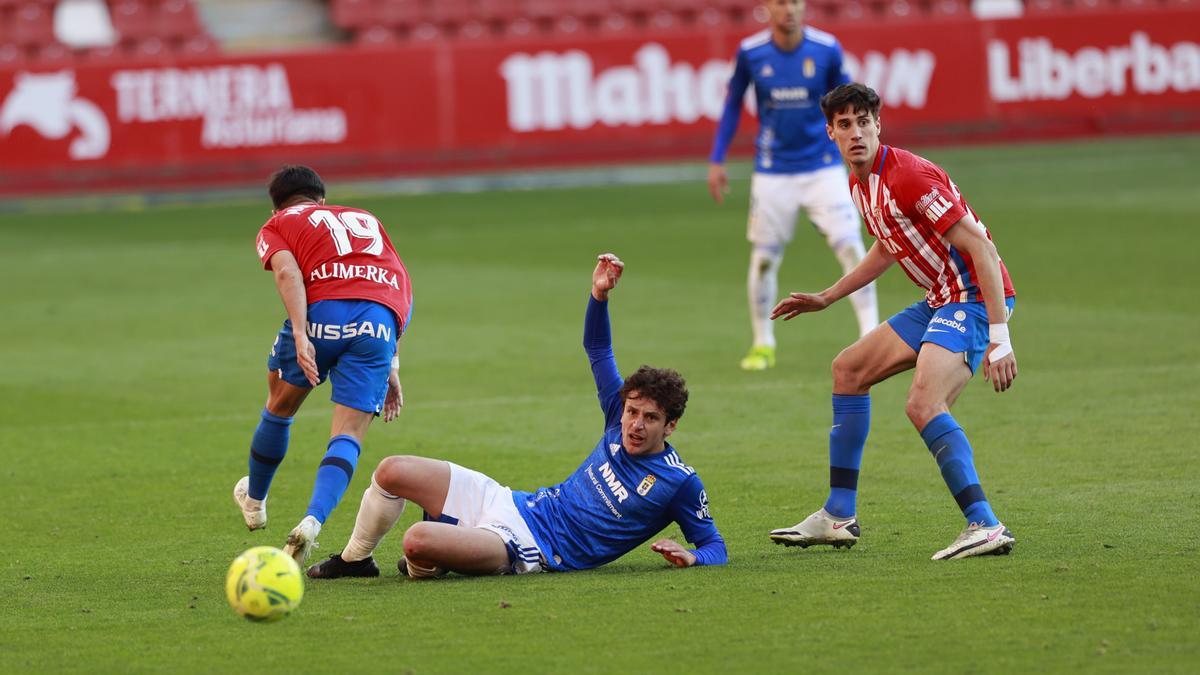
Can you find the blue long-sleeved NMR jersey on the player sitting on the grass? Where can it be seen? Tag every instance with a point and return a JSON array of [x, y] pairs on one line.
[[614, 503]]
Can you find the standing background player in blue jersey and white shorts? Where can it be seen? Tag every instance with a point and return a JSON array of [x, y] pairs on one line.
[[791, 67]]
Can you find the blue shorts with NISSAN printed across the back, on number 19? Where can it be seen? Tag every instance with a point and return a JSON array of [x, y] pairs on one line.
[[355, 341]]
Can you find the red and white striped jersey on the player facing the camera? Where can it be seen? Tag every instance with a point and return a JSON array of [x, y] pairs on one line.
[[909, 204]]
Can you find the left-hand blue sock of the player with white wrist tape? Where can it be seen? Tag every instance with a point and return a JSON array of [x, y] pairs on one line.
[[851, 422]]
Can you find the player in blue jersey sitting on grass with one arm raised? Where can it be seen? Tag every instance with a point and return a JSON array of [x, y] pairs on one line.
[[628, 489]]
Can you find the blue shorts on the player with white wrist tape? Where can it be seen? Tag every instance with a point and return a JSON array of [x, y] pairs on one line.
[[959, 327]]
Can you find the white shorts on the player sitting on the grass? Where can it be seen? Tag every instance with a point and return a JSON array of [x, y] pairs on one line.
[[476, 500]]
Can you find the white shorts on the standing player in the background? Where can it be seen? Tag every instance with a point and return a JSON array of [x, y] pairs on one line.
[[776, 201]]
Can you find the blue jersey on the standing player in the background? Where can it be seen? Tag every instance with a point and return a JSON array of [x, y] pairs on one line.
[[789, 87]]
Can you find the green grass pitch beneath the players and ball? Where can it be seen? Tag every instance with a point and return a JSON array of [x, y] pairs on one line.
[[135, 353]]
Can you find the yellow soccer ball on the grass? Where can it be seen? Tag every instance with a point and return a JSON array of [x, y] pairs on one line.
[[265, 584]]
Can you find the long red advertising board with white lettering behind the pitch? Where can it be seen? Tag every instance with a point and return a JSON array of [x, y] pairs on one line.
[[487, 105]]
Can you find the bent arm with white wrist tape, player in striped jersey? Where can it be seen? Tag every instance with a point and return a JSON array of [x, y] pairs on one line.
[[999, 362]]
